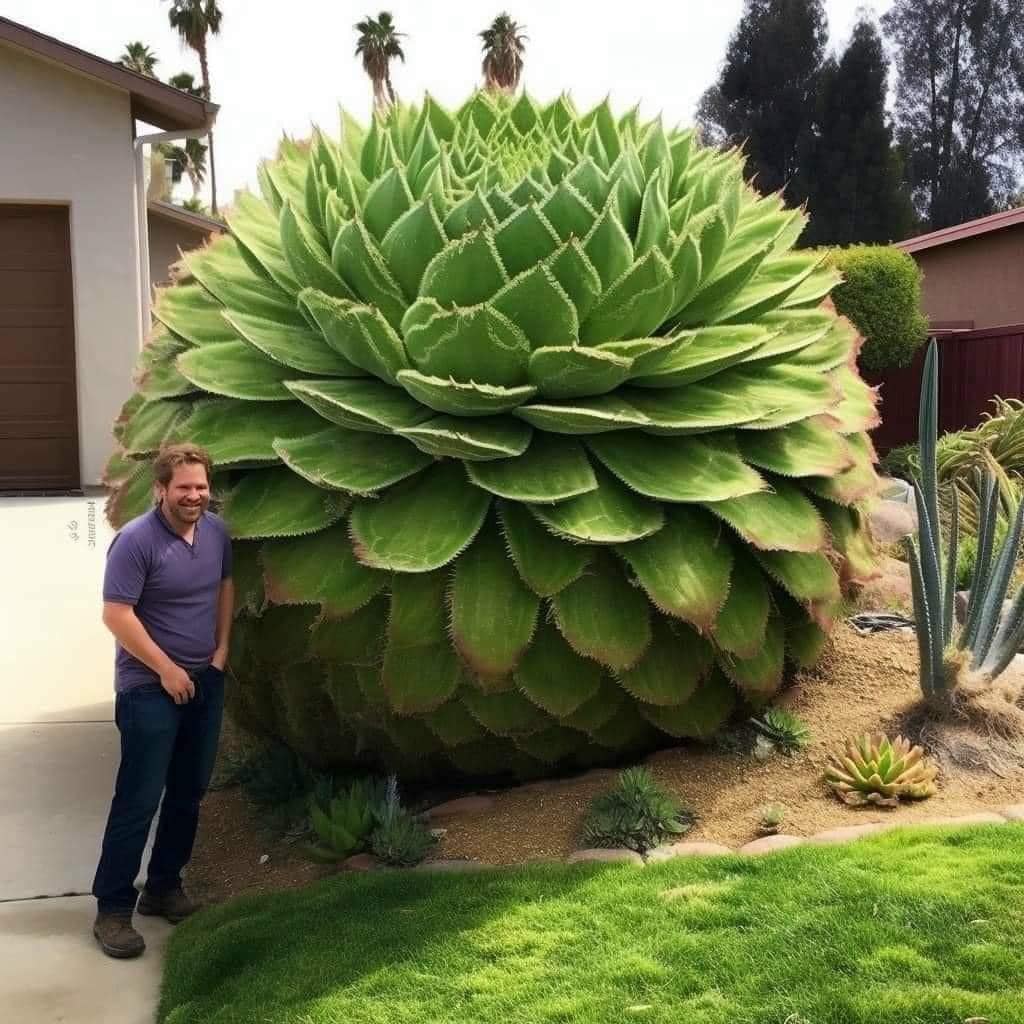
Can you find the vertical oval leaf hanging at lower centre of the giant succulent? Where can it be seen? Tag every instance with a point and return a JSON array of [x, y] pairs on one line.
[[493, 612]]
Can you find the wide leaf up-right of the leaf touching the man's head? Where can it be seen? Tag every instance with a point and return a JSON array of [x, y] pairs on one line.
[[347, 460]]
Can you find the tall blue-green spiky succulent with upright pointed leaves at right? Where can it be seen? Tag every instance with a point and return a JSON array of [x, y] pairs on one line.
[[989, 641]]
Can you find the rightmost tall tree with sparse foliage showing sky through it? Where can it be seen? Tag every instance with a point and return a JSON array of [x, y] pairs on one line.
[[960, 103]]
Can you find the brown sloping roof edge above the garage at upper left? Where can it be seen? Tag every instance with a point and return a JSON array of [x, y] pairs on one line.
[[152, 101]]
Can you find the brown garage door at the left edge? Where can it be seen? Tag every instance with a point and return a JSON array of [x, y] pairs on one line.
[[38, 414]]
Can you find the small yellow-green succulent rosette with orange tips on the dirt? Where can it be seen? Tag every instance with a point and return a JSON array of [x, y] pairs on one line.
[[874, 770]]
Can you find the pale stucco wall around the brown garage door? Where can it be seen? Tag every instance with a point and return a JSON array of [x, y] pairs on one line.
[[67, 140]]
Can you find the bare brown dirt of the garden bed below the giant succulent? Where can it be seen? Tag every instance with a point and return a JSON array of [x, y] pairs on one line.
[[862, 685]]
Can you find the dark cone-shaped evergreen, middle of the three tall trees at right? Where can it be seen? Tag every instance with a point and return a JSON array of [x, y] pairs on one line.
[[855, 175]]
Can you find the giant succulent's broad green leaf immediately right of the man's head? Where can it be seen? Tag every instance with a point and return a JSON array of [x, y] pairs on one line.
[[277, 503]]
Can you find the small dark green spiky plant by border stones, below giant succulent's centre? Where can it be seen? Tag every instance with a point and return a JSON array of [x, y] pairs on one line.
[[638, 815]]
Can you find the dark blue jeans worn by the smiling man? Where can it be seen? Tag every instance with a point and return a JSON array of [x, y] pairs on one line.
[[169, 750]]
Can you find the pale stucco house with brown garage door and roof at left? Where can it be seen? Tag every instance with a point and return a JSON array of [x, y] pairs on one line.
[[75, 261]]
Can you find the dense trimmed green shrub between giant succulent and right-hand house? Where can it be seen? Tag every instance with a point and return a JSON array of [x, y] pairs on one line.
[[881, 294]]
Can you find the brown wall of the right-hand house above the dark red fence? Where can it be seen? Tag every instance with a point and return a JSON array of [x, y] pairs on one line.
[[979, 279]]
